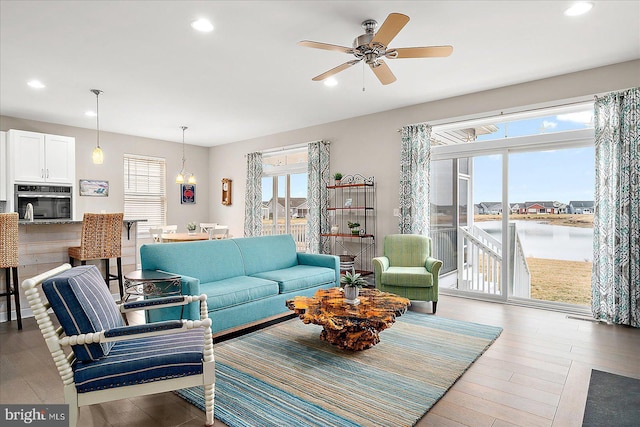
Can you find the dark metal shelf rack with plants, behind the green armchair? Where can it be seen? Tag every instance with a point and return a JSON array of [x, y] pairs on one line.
[[352, 201]]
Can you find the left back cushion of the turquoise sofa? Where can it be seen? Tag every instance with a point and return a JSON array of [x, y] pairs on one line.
[[208, 260]]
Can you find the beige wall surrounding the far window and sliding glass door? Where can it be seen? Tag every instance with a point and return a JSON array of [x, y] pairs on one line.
[[370, 145]]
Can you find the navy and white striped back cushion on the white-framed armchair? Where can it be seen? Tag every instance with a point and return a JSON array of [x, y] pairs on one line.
[[83, 304]]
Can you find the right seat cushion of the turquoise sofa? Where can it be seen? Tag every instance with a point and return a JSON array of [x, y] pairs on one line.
[[299, 277]]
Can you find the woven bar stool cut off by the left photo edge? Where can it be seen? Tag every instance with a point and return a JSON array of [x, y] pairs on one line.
[[9, 261]]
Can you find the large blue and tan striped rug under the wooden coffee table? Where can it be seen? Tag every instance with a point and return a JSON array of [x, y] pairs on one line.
[[286, 376]]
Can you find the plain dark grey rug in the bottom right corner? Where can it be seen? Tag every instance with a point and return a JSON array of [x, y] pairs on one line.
[[612, 400]]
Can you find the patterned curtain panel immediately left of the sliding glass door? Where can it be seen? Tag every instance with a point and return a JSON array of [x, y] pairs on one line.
[[415, 167]]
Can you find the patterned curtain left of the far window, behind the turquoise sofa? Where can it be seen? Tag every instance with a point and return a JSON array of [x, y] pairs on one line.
[[253, 196]]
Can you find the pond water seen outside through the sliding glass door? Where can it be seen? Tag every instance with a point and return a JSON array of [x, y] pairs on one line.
[[548, 241]]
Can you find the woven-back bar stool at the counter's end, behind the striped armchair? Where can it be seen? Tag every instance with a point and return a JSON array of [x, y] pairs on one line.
[[101, 239]]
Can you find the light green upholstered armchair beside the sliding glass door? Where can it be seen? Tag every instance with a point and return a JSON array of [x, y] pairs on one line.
[[408, 269]]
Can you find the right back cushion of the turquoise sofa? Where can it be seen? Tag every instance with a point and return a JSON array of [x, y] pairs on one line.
[[267, 253]]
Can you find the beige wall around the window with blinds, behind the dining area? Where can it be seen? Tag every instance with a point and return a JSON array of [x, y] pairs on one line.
[[114, 147]]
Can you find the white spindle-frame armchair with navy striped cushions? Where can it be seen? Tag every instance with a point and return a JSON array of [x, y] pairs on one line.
[[109, 360]]
